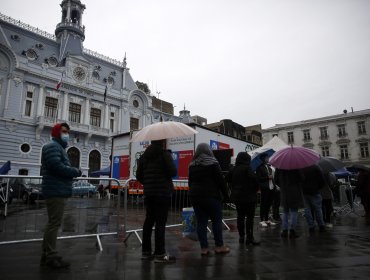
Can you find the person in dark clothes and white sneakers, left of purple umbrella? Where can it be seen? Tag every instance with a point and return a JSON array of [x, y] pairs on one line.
[[266, 183]]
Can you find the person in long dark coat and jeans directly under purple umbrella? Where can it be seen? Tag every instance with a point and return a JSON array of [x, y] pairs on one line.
[[289, 182]]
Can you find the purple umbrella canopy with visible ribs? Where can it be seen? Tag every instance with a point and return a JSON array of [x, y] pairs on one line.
[[294, 158]]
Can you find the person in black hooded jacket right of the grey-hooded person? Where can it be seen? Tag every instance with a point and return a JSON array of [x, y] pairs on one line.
[[244, 189]]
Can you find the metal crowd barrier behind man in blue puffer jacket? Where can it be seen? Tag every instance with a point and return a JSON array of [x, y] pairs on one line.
[[86, 213]]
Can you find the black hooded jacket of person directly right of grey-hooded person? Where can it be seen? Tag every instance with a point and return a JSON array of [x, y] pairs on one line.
[[244, 184]]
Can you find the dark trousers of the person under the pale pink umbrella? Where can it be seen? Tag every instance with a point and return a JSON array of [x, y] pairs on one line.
[[156, 214]]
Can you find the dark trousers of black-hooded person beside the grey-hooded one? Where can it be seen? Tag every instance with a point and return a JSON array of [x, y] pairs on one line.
[[245, 211]]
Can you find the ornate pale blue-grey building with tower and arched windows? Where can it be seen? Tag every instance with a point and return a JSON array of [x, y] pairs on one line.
[[47, 78]]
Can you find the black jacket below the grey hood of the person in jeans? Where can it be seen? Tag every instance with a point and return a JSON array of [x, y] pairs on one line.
[[206, 181]]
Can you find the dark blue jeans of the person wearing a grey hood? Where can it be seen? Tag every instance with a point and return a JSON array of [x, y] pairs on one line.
[[204, 209]]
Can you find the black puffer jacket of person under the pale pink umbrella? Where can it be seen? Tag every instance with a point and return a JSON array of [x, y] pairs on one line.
[[155, 171]]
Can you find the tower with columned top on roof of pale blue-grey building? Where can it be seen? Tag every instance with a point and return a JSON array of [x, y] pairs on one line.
[[70, 32]]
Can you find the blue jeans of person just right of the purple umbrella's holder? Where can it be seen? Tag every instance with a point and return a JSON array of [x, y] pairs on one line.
[[313, 204]]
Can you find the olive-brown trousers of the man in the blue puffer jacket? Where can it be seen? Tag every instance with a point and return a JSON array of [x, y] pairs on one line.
[[55, 210]]
